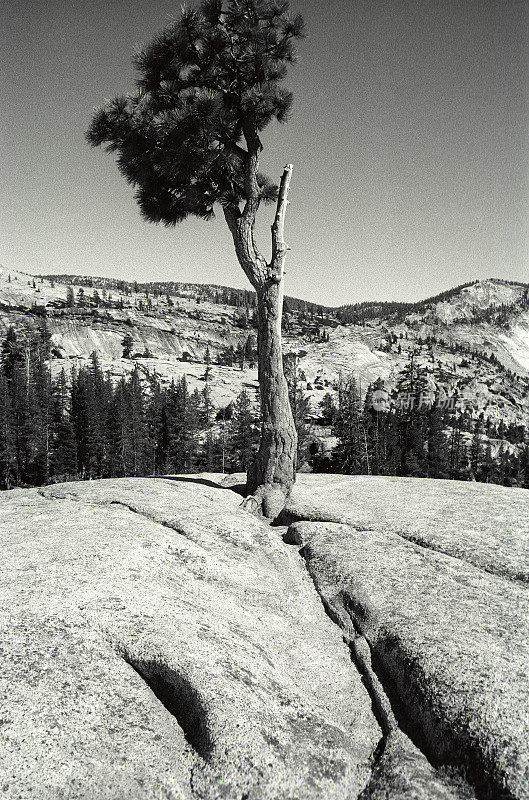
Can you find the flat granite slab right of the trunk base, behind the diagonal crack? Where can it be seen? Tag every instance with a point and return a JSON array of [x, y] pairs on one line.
[[483, 524]]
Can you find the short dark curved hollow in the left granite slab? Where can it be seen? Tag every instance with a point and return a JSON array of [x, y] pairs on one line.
[[176, 693]]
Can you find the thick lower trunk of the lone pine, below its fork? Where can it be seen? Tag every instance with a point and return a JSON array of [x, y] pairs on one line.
[[272, 474]]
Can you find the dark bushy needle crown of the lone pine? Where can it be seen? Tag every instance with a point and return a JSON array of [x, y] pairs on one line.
[[207, 85]]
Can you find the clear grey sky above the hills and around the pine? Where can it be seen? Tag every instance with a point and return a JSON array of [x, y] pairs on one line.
[[409, 139]]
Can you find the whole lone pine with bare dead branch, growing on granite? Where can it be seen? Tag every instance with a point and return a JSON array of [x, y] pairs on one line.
[[189, 138]]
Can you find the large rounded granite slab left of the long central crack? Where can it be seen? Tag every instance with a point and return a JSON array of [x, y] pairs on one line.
[[159, 642]]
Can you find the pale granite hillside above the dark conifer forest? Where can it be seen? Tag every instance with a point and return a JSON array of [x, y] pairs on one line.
[[173, 327]]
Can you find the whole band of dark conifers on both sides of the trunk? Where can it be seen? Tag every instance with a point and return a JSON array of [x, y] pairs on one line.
[[84, 425]]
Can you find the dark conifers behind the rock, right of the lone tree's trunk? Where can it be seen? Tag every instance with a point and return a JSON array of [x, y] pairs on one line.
[[417, 433]]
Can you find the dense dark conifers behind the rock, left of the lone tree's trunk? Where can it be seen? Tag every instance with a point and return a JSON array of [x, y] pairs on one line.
[[88, 426]]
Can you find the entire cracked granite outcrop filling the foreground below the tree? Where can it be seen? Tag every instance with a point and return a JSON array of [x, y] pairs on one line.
[[160, 642]]
